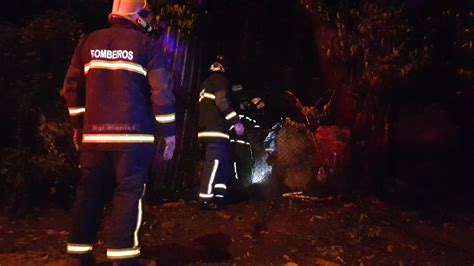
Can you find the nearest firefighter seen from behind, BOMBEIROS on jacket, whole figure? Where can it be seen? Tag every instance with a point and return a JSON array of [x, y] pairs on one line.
[[119, 96]]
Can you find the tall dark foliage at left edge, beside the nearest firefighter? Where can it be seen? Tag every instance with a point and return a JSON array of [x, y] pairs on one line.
[[39, 164]]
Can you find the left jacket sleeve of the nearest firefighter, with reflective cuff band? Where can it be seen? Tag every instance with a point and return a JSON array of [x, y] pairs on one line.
[[74, 88]]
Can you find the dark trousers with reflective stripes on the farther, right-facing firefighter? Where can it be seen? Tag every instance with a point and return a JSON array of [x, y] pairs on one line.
[[217, 171]]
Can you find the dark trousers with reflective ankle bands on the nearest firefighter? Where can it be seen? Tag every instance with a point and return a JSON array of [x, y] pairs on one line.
[[124, 172]]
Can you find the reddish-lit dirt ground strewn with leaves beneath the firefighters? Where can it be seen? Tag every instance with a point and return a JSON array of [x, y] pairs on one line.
[[293, 230]]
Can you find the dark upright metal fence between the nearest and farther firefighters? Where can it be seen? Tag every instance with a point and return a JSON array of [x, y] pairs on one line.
[[183, 55]]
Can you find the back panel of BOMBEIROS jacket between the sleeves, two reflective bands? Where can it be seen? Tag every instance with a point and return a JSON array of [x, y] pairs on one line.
[[118, 99]]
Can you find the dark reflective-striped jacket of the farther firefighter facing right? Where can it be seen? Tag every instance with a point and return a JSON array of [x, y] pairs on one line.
[[216, 115]]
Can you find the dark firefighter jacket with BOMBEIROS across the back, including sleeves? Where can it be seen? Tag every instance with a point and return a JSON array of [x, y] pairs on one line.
[[117, 89]]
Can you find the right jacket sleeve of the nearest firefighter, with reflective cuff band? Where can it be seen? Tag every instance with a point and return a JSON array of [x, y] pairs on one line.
[[162, 97]]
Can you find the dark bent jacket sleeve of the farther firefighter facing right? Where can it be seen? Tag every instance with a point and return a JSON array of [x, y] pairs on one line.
[[220, 90]]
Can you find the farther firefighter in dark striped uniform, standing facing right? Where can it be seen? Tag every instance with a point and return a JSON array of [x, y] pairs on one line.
[[216, 117]]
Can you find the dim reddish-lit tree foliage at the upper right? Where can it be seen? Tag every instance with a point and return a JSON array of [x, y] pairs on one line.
[[367, 51]]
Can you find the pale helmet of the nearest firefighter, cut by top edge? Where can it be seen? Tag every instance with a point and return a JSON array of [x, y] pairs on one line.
[[137, 11]]
